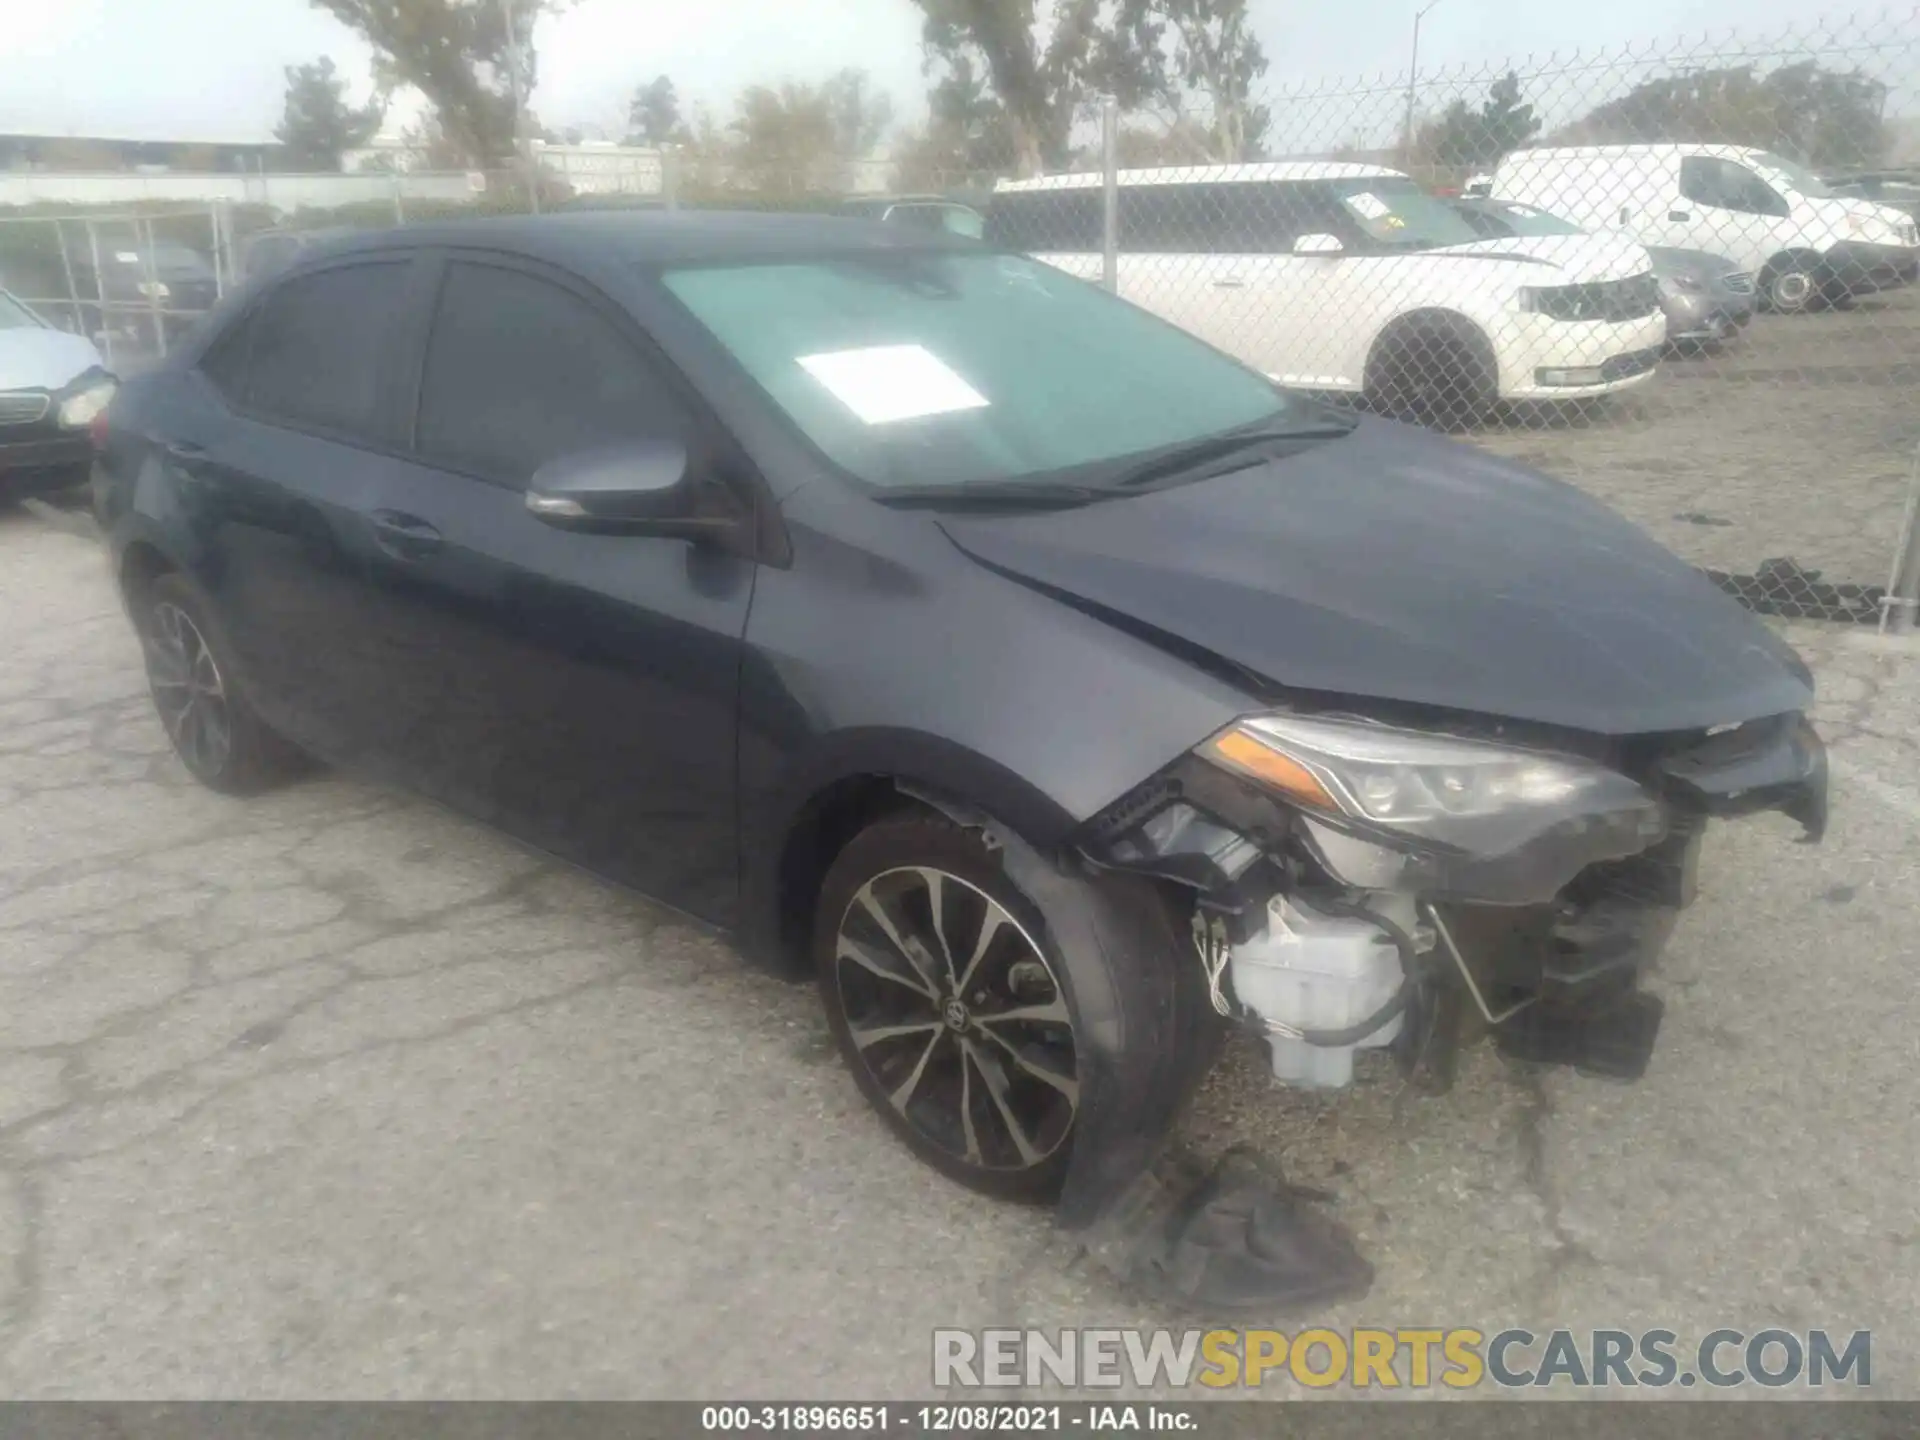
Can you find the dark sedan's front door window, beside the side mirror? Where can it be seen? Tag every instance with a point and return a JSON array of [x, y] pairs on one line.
[[521, 372]]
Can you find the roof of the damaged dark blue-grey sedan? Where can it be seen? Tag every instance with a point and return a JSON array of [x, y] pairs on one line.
[[650, 237]]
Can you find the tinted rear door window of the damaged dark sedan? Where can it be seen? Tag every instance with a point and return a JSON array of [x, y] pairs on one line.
[[318, 345]]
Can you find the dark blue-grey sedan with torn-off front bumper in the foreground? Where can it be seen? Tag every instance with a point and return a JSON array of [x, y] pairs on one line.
[[1049, 684]]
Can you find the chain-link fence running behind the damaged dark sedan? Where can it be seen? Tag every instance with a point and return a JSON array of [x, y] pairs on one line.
[[1679, 277]]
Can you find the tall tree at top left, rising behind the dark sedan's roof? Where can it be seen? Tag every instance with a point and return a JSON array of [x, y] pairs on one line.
[[456, 55]]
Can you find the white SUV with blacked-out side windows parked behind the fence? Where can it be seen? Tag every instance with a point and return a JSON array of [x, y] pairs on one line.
[[1353, 279]]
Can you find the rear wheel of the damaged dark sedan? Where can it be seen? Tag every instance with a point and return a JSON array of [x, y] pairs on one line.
[[210, 723]]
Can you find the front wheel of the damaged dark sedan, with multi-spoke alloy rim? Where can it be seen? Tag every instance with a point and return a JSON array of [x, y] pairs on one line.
[[974, 1103]]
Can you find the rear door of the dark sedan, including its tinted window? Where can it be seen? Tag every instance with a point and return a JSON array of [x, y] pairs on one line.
[[277, 439]]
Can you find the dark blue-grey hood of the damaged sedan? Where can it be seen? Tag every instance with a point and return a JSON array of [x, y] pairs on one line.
[[1404, 567]]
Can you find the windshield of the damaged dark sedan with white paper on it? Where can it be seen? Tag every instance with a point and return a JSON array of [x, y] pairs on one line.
[[938, 370]]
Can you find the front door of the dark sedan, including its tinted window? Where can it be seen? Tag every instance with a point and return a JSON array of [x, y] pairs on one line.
[[577, 690]]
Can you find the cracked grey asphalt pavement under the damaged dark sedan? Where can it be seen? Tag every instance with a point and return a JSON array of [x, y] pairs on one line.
[[335, 1095]]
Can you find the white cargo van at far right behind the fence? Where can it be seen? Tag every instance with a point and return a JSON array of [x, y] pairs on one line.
[[1769, 216]]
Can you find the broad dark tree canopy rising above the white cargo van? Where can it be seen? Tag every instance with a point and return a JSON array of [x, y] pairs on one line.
[[1813, 114]]
